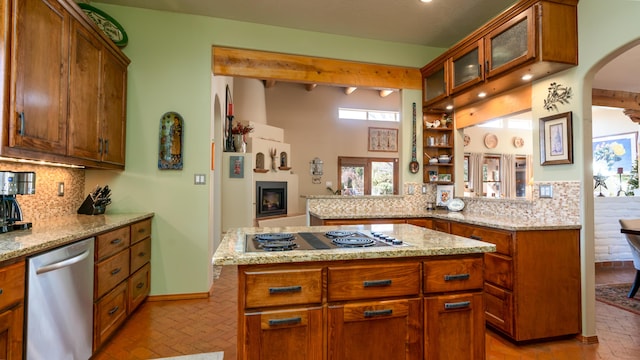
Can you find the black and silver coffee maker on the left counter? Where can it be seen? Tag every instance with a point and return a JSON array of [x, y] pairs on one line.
[[12, 184]]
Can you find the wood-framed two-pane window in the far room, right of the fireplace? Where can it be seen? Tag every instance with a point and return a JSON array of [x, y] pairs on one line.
[[368, 176]]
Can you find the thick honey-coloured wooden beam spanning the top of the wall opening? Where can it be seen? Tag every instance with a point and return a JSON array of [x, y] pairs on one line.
[[312, 70]]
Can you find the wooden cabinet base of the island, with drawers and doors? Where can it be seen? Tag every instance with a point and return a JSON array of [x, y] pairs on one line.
[[362, 309]]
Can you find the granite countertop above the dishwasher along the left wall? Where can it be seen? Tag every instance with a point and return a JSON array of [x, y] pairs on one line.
[[54, 232]]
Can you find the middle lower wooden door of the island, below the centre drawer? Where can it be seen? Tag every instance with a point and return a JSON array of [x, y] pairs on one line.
[[375, 330]]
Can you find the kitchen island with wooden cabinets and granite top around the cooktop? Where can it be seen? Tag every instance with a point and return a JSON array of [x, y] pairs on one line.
[[380, 302]]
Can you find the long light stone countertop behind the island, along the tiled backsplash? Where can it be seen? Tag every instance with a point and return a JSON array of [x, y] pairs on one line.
[[498, 222]]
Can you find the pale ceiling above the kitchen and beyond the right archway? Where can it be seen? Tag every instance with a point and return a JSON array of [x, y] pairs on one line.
[[440, 23]]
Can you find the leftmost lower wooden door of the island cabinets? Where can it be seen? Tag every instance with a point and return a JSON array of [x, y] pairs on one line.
[[292, 334]]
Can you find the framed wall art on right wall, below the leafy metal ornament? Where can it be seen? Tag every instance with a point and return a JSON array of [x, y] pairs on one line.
[[556, 139]]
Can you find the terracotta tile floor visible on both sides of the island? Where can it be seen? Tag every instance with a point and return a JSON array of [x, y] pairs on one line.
[[174, 328]]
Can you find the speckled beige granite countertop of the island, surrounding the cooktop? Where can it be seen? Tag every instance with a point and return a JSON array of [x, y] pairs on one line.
[[419, 242]]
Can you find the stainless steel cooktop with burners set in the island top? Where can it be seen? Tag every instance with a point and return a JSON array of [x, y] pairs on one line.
[[334, 239]]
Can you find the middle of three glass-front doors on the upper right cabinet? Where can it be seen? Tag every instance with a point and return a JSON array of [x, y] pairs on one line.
[[466, 67]]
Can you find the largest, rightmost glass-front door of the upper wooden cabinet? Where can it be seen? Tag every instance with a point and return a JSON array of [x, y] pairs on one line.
[[511, 44]]
